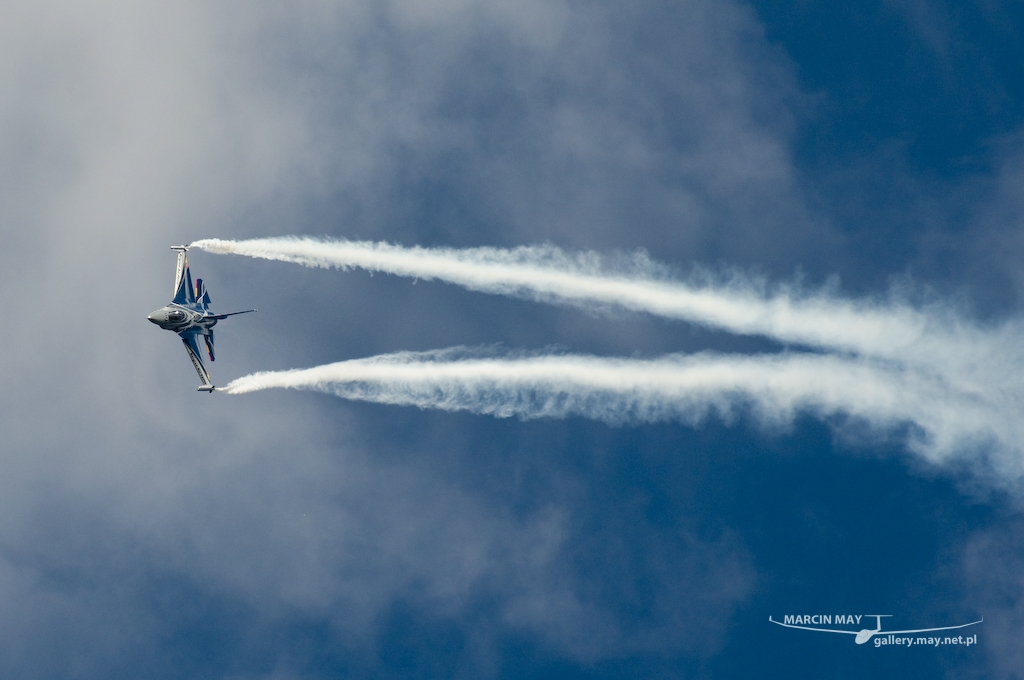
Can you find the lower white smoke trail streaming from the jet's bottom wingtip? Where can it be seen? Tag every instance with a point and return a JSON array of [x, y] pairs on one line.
[[681, 388]]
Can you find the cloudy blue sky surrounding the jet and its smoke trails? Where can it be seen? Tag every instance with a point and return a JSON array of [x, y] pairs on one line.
[[874, 151]]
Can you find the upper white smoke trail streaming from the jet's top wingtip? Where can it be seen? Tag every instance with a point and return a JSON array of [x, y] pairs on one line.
[[934, 341]]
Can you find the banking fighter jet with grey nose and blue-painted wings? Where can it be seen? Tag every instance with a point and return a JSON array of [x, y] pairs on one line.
[[189, 316]]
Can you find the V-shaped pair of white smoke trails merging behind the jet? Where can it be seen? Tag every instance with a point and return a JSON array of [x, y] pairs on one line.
[[885, 363]]
